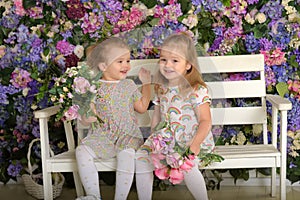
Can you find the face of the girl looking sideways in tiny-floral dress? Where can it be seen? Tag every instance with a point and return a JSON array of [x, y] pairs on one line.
[[117, 66]]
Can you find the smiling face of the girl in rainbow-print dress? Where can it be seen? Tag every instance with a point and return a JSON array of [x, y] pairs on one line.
[[173, 66]]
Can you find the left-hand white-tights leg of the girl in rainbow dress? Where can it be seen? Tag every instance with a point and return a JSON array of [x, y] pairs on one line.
[[144, 175]]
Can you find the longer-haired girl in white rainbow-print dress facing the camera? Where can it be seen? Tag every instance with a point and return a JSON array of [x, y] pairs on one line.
[[182, 100]]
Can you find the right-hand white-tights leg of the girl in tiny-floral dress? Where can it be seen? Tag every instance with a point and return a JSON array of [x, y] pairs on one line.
[[125, 173]]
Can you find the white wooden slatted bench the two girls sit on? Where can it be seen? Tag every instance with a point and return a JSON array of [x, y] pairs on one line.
[[266, 155]]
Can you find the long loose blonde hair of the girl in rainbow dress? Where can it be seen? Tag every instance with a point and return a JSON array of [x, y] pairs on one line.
[[182, 43]]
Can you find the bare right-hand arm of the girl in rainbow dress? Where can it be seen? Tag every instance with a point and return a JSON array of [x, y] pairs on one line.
[[204, 119]]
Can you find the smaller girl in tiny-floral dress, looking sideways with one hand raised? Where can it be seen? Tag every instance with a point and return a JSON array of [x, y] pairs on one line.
[[119, 136]]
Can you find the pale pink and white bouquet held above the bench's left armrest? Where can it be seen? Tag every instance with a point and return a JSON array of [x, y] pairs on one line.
[[74, 92]]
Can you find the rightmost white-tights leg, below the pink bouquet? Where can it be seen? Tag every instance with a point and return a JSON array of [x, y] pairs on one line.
[[196, 183]]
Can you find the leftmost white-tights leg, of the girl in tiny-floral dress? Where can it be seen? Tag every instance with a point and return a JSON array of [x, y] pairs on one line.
[[87, 170]]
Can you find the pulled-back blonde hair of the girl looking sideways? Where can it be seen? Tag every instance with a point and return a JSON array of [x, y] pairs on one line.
[[98, 52]]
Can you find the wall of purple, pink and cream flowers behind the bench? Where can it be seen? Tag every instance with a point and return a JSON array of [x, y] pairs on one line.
[[40, 39]]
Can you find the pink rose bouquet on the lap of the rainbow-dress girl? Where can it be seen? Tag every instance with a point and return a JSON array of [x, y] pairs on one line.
[[170, 160]]
